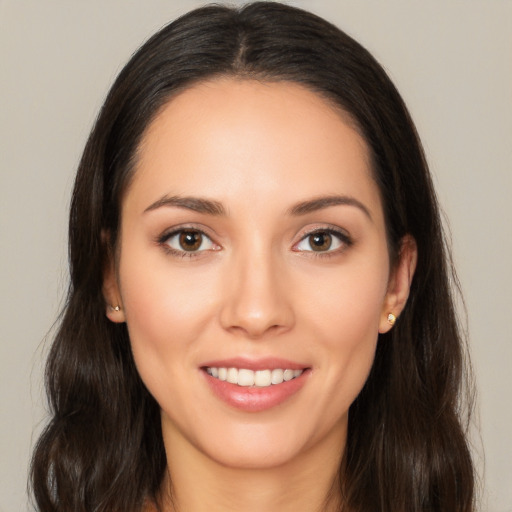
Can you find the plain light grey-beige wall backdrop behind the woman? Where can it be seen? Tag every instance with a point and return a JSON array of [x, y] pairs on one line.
[[450, 59]]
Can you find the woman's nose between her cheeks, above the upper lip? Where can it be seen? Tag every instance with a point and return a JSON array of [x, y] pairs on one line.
[[259, 297]]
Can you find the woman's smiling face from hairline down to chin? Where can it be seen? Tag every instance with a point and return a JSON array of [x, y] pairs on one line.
[[253, 248]]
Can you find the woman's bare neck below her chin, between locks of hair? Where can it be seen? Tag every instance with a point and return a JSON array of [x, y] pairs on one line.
[[196, 483]]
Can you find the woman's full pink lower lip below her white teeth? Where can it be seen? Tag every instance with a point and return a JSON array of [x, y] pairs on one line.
[[255, 399]]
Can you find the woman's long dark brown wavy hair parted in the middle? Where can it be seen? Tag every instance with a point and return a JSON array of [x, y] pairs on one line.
[[407, 450]]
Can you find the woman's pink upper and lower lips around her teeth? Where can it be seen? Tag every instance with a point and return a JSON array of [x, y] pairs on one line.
[[255, 399]]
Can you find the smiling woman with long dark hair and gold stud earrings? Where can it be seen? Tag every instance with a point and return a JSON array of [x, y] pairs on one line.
[[259, 315]]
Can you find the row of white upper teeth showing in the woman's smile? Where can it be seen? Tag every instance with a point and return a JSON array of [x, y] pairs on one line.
[[259, 378]]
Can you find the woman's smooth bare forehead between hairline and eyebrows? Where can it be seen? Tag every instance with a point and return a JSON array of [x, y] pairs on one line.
[[246, 136]]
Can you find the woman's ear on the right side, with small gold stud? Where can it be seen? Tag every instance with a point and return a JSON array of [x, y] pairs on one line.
[[399, 283]]
